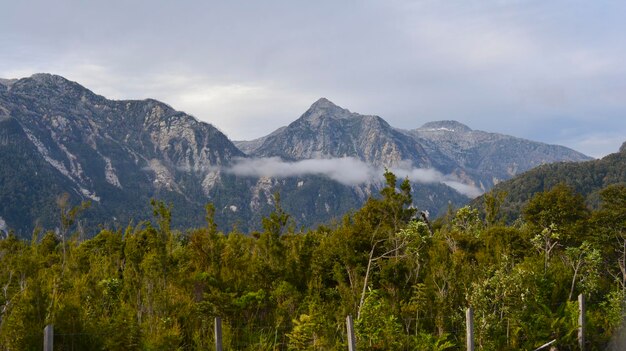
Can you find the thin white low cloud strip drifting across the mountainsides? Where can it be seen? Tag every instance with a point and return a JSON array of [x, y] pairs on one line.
[[345, 170]]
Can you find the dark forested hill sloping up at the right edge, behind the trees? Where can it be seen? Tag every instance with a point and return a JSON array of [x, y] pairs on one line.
[[586, 178]]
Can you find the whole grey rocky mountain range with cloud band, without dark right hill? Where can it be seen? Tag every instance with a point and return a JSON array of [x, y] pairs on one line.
[[58, 137]]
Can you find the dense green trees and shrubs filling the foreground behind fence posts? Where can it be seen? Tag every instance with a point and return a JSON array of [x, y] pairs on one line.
[[407, 282]]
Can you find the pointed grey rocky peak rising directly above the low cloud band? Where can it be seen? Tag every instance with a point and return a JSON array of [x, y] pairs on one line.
[[326, 130]]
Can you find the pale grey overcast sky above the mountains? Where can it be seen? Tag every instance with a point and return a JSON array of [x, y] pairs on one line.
[[552, 71]]
